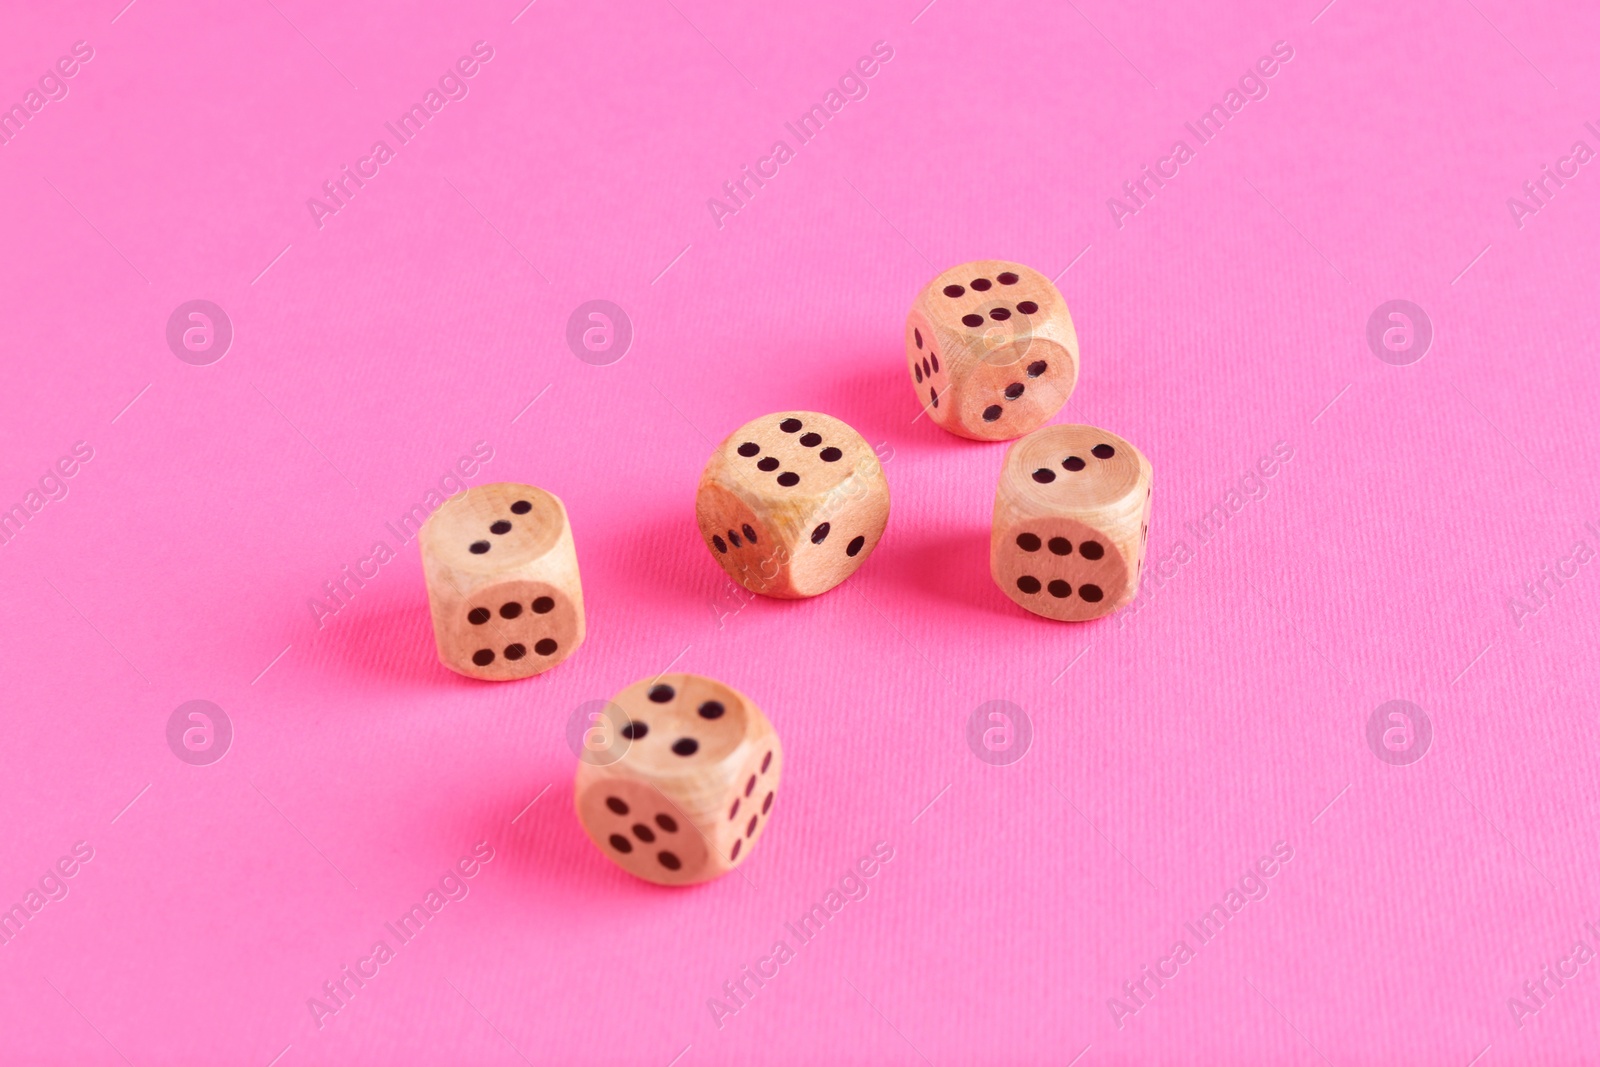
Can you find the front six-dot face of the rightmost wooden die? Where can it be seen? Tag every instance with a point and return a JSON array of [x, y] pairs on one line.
[[1062, 569]]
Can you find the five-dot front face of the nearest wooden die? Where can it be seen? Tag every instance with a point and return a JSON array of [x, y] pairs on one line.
[[644, 833]]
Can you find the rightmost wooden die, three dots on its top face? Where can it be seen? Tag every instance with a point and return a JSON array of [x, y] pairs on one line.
[[1071, 522]]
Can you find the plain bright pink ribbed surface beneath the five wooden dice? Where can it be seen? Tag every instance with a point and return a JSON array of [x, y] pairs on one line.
[[1172, 746]]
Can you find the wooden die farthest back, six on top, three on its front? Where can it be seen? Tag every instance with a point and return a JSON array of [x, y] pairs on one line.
[[991, 350]]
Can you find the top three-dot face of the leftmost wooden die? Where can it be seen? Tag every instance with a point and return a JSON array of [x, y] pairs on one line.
[[494, 529]]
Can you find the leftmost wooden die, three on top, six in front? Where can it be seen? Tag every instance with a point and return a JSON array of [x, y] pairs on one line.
[[503, 581]]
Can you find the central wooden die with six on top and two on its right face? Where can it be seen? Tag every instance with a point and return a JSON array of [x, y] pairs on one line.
[[793, 503]]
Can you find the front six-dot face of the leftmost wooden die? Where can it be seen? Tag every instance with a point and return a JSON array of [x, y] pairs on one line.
[[506, 631]]
